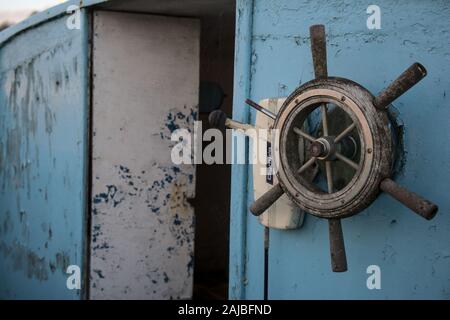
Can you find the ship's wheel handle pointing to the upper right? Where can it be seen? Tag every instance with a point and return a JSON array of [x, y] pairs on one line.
[[403, 83]]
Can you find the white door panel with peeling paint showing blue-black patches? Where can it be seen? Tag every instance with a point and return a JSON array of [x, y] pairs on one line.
[[146, 80]]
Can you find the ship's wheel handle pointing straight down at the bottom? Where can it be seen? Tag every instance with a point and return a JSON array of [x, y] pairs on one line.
[[337, 246]]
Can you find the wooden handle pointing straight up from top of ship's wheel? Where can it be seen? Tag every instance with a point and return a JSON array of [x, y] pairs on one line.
[[319, 50]]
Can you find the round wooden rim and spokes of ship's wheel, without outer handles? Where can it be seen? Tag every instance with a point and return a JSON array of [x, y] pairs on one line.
[[324, 197]]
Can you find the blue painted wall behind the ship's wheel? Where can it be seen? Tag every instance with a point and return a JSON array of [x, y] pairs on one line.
[[414, 255]]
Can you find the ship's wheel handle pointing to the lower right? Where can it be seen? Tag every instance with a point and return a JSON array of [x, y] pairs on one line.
[[409, 199]]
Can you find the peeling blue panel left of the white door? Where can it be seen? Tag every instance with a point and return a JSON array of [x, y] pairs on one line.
[[43, 126]]
